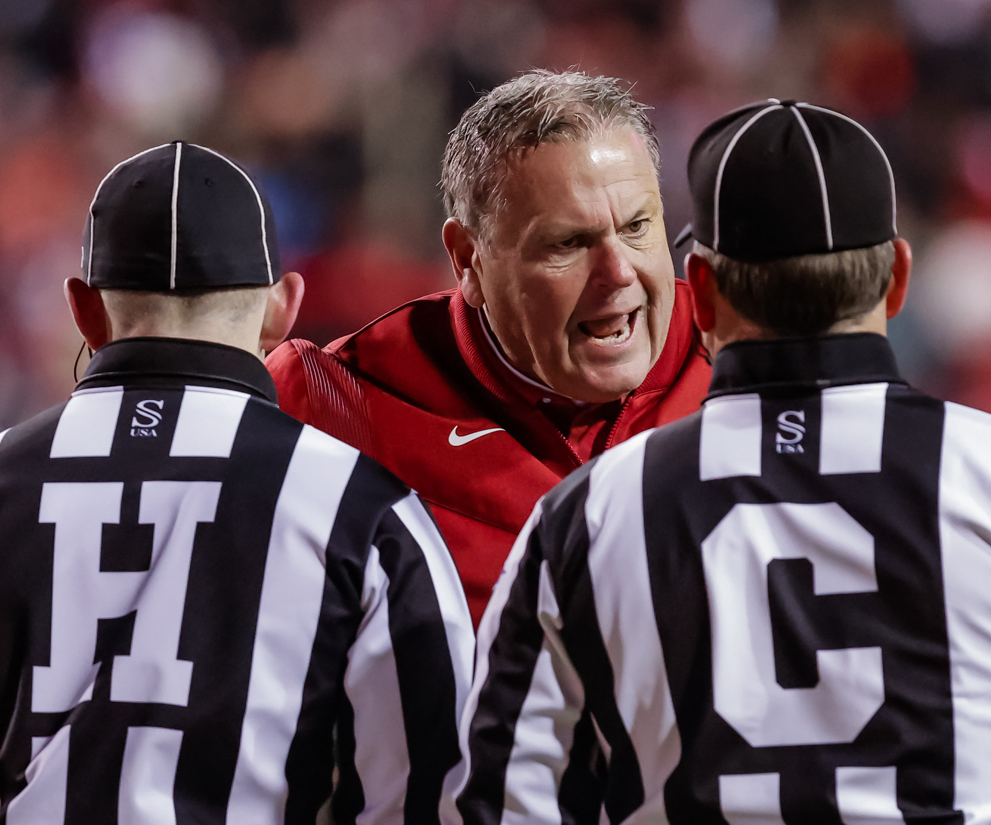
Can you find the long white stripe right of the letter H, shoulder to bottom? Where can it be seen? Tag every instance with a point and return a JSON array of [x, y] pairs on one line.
[[292, 593]]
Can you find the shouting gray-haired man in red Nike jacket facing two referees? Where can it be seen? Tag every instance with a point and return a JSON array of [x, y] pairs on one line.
[[567, 333]]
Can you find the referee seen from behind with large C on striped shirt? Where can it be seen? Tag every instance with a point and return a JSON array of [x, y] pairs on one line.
[[777, 610]]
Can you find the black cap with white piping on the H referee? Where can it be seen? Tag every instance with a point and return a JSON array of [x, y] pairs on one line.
[[176, 217]]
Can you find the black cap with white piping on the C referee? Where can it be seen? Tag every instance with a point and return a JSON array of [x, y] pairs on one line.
[[778, 179]]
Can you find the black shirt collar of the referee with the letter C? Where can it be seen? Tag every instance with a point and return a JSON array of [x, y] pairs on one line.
[[813, 363]]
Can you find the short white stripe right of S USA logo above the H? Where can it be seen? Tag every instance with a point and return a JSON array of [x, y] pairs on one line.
[[208, 422]]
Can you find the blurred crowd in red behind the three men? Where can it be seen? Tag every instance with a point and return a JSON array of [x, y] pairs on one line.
[[343, 107]]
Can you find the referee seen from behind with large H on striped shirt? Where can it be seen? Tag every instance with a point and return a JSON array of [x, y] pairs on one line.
[[195, 589]]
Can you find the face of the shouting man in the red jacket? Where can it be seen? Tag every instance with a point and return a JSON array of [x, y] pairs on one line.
[[574, 271]]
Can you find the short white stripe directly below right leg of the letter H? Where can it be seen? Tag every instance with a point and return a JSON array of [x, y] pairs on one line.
[[147, 777]]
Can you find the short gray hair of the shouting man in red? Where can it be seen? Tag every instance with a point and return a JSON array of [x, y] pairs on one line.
[[535, 107]]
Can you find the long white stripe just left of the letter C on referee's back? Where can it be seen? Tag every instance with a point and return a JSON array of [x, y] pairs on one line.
[[624, 605]]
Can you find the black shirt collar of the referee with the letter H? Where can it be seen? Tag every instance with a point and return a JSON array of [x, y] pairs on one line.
[[131, 360]]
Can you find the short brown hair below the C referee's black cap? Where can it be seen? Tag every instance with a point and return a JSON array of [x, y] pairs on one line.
[[807, 294]]
